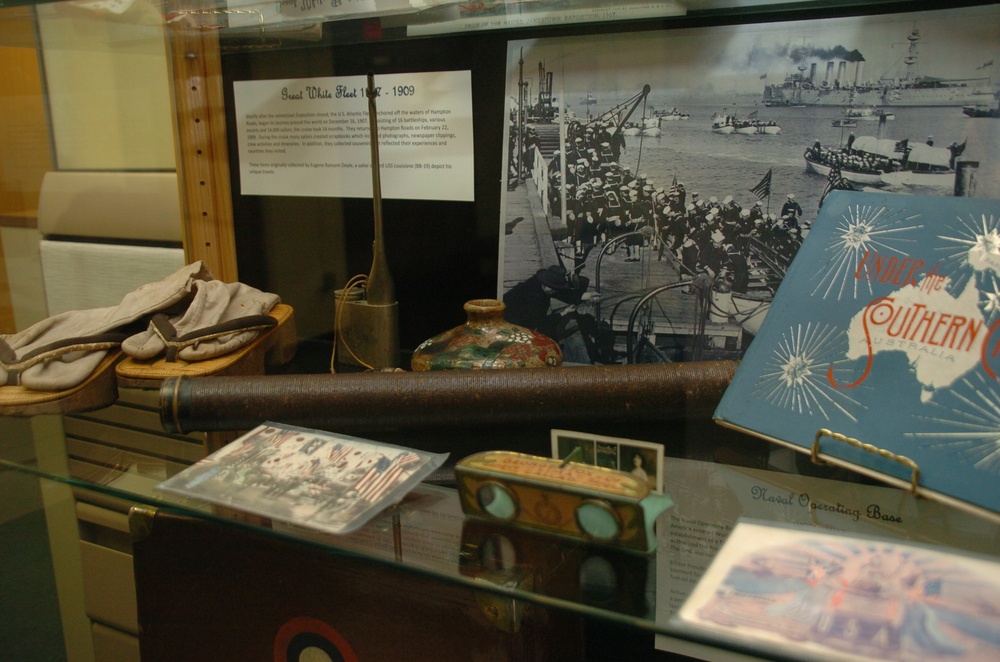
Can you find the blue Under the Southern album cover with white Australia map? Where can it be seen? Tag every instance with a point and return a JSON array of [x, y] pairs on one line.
[[885, 331]]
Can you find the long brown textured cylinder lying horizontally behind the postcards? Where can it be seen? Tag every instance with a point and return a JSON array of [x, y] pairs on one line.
[[362, 402]]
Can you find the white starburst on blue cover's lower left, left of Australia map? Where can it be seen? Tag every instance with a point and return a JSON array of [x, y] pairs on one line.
[[795, 375]]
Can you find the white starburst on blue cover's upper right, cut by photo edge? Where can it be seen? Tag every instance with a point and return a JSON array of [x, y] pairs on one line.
[[972, 250]]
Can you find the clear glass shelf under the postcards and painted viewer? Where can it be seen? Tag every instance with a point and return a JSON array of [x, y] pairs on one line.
[[428, 535]]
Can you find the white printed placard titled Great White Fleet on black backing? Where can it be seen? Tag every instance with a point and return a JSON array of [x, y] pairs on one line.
[[312, 136]]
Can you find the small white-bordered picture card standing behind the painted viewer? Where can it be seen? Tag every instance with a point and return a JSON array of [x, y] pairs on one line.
[[642, 459]]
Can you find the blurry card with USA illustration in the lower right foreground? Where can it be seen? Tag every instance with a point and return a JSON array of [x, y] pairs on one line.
[[828, 596]]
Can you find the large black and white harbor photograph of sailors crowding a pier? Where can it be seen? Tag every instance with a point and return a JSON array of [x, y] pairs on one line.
[[658, 184]]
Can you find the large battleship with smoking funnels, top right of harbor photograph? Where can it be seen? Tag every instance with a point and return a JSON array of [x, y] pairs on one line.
[[843, 82]]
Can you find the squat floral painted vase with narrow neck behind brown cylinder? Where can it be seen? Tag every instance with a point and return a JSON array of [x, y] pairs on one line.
[[486, 341]]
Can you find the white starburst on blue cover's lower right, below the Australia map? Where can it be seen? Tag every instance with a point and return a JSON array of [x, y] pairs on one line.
[[965, 422]]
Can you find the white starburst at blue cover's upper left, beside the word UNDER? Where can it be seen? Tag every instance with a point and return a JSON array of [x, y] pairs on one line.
[[862, 229]]
